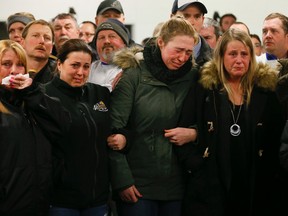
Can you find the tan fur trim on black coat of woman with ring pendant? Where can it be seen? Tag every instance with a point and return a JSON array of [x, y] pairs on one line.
[[265, 77]]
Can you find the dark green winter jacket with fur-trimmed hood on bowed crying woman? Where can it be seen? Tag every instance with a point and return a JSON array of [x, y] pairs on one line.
[[144, 106]]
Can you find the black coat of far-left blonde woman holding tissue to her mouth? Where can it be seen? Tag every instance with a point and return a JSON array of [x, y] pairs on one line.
[[26, 132]]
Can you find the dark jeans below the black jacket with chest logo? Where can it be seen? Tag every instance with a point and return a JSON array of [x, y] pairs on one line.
[[96, 211]]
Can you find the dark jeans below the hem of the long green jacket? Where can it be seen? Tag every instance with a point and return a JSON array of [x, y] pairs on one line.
[[149, 208]]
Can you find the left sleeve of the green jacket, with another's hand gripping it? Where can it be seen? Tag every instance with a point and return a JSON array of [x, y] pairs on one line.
[[122, 100]]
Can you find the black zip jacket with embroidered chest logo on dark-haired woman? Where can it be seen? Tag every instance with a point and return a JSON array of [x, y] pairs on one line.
[[80, 161]]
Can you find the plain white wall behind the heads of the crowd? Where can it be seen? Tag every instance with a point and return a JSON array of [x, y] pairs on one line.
[[145, 14]]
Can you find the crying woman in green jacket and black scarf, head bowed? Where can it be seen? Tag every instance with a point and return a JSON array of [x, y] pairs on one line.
[[145, 108]]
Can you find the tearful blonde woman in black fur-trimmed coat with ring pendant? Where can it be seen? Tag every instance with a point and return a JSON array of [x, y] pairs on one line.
[[235, 160]]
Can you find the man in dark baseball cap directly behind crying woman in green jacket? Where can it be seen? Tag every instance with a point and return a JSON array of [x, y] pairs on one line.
[[194, 12]]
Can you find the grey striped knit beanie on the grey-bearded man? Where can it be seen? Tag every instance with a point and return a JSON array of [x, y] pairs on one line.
[[117, 26]]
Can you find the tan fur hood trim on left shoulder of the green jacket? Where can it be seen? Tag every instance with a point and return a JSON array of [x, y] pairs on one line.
[[128, 57]]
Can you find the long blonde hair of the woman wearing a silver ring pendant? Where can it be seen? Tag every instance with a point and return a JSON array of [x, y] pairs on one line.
[[248, 78]]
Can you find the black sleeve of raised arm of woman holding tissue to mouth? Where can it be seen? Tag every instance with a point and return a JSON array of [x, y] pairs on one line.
[[48, 112]]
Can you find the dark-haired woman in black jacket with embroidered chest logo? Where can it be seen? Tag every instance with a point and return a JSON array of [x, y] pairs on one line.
[[81, 182]]
